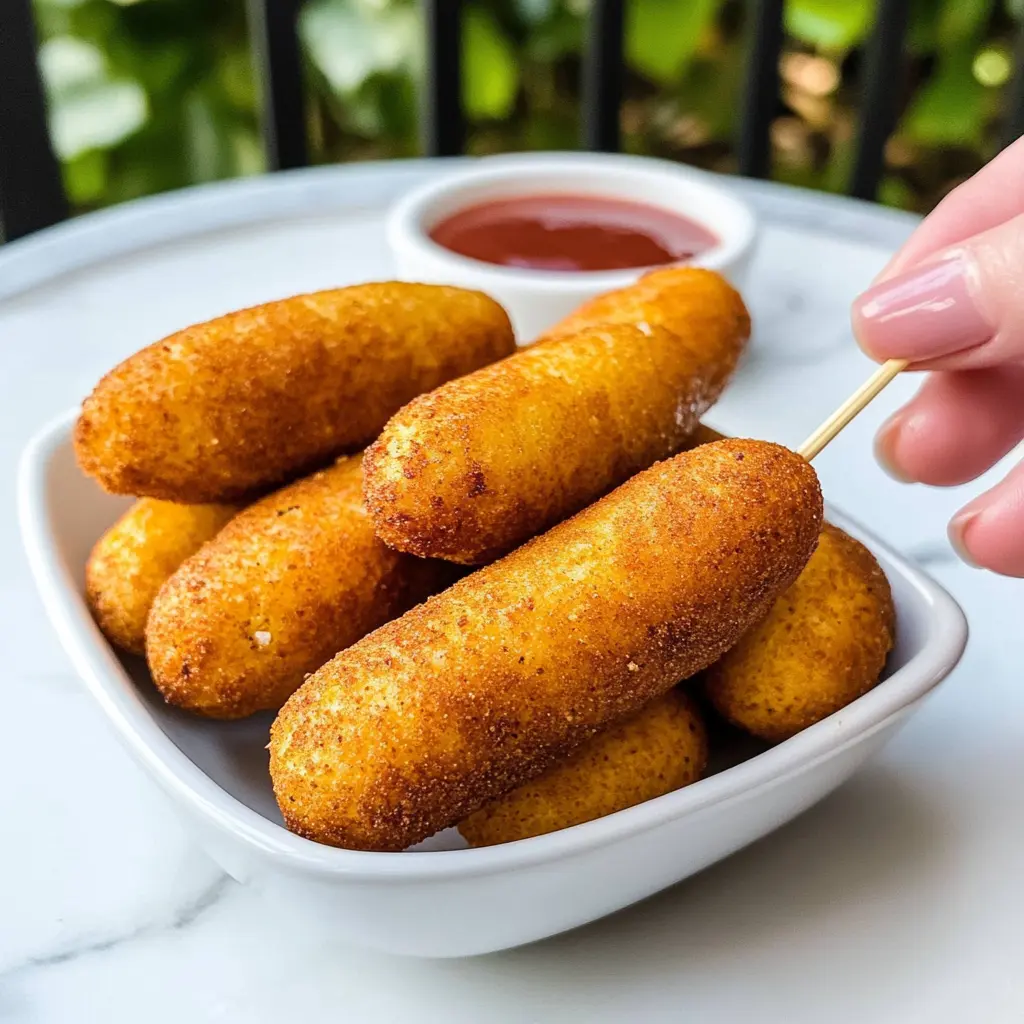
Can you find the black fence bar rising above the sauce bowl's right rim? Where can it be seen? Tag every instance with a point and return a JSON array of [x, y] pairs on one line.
[[760, 90]]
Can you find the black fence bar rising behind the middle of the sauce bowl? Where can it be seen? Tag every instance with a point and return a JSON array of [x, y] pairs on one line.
[[604, 76]]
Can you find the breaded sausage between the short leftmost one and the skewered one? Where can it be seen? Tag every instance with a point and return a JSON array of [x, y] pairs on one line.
[[289, 583]]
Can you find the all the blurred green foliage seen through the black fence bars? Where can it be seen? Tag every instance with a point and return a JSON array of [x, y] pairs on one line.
[[153, 95]]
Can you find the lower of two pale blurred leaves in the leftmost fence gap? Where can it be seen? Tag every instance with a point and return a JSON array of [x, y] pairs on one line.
[[97, 117]]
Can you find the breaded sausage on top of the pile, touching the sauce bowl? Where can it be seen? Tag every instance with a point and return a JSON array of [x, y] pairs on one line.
[[476, 468]]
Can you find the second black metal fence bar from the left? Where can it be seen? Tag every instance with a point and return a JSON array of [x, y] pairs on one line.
[[273, 25]]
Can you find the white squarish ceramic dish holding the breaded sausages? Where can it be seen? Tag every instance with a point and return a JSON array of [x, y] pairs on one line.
[[456, 902]]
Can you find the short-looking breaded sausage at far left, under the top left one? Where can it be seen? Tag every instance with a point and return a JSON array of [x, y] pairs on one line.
[[134, 559]]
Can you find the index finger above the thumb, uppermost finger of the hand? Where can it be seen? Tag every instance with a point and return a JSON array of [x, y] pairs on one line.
[[989, 199]]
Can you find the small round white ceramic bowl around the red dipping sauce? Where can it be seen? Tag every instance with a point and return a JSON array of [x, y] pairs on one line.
[[537, 300]]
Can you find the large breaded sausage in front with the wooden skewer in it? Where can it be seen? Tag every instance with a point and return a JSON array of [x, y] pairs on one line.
[[501, 677]]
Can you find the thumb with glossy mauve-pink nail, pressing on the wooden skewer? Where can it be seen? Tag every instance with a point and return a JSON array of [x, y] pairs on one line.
[[963, 309]]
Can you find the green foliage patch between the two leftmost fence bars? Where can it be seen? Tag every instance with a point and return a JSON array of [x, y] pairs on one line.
[[148, 96]]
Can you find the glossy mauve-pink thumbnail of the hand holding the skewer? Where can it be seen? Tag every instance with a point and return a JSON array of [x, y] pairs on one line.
[[921, 315]]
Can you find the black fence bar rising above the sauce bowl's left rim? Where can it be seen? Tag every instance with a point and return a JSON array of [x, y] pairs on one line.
[[444, 122]]
